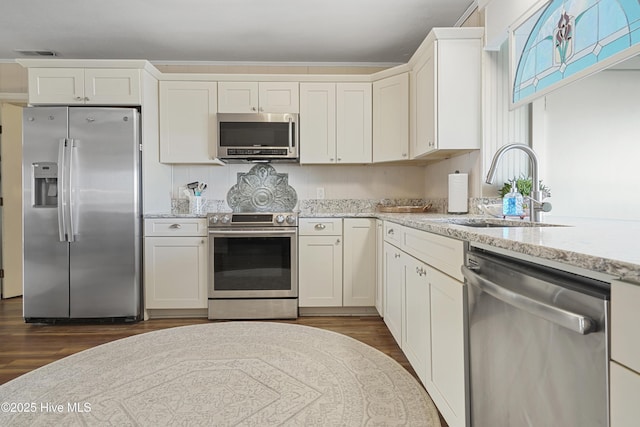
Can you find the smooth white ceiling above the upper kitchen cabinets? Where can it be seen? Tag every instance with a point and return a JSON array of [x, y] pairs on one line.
[[225, 31]]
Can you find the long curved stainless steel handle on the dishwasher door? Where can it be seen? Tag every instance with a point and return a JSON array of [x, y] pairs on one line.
[[573, 321]]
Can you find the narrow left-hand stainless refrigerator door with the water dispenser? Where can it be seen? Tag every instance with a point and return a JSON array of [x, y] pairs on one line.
[[46, 258]]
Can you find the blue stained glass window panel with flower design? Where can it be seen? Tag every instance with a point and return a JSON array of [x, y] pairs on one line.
[[567, 37]]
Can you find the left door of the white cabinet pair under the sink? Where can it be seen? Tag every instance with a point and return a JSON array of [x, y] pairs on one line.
[[416, 317]]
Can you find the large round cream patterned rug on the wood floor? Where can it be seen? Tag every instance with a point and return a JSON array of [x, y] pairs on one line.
[[221, 374]]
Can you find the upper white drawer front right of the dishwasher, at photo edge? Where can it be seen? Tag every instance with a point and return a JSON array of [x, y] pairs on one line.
[[625, 342]]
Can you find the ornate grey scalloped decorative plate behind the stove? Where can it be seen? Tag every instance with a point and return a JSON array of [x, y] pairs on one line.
[[262, 189]]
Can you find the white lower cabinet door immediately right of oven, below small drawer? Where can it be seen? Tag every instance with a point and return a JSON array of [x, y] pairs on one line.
[[320, 271]]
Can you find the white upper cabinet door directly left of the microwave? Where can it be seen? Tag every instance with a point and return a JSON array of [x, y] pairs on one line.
[[187, 122]]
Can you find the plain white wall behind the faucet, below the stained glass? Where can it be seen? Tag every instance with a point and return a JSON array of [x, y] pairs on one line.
[[592, 152]]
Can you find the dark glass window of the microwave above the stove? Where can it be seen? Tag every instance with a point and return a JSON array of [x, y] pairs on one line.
[[258, 134]]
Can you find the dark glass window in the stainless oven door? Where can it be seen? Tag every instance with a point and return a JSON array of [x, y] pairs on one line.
[[252, 263]]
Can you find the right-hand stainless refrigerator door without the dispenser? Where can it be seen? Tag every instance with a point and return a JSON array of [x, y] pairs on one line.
[[105, 212]]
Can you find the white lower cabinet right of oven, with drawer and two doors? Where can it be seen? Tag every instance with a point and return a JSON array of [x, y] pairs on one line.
[[336, 262]]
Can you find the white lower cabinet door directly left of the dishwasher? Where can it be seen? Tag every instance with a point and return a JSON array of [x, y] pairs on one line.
[[448, 369]]
